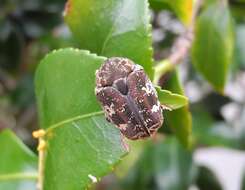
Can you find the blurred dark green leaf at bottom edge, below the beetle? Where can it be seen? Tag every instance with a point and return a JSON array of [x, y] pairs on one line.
[[163, 165]]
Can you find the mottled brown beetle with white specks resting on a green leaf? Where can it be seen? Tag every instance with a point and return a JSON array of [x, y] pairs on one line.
[[128, 98]]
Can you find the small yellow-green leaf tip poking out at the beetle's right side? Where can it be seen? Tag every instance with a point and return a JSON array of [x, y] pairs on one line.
[[171, 100]]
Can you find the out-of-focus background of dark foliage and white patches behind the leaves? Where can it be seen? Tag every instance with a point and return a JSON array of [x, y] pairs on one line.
[[31, 28]]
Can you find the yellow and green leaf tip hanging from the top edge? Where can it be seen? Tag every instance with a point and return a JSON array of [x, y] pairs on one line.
[[182, 8]]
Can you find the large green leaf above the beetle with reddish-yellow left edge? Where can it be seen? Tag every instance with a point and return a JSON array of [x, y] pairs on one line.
[[113, 28]]
